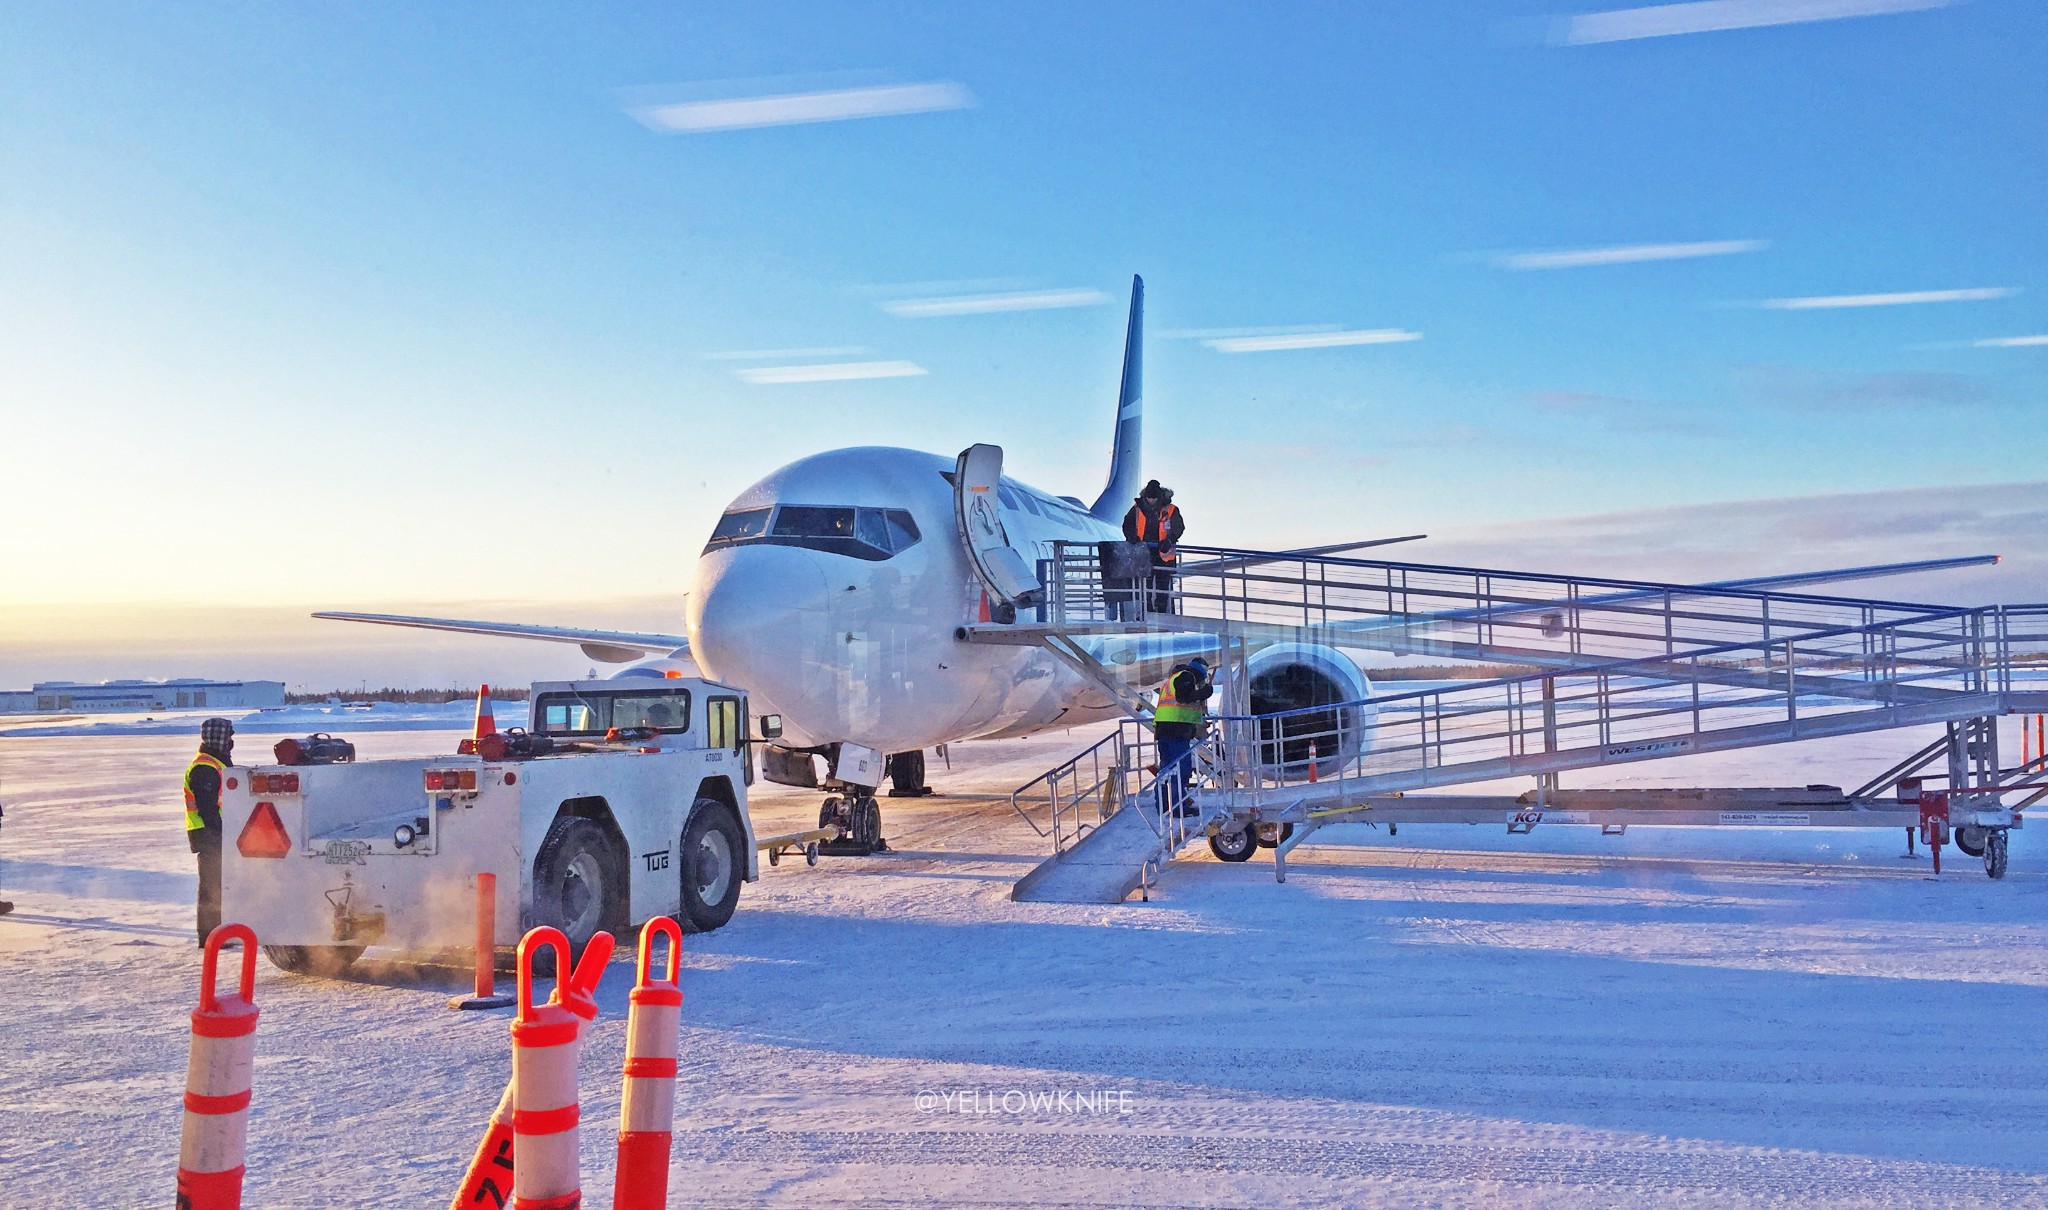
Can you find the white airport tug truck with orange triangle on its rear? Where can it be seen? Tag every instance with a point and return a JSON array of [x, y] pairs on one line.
[[624, 804]]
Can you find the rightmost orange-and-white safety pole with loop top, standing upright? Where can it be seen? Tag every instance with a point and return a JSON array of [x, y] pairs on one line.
[[648, 1109]]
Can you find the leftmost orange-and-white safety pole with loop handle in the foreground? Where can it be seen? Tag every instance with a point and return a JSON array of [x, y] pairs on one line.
[[218, 1082]]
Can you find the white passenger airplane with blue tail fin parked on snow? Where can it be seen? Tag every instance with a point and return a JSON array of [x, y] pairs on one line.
[[835, 593]]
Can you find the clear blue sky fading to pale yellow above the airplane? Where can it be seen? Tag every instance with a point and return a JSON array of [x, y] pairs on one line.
[[380, 271]]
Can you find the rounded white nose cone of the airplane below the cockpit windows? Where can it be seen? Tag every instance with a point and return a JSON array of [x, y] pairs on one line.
[[759, 617]]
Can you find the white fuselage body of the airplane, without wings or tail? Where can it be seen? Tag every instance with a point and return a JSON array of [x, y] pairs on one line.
[[861, 648]]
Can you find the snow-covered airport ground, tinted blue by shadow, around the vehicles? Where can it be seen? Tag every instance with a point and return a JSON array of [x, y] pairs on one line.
[[1443, 1019]]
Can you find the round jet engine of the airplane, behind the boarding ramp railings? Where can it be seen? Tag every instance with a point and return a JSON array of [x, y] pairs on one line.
[[1326, 705]]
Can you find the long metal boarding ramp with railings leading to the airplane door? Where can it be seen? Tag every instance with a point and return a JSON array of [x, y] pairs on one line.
[[1619, 673]]
